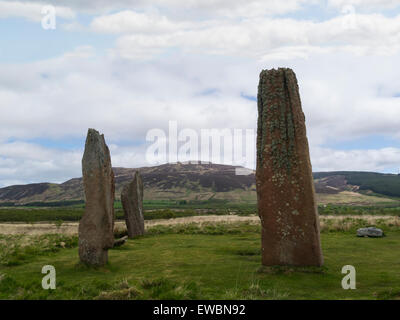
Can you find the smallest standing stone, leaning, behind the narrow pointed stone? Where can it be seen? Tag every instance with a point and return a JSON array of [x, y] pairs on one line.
[[132, 203]]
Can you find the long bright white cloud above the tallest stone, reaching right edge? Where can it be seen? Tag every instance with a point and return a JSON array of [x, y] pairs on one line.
[[261, 38]]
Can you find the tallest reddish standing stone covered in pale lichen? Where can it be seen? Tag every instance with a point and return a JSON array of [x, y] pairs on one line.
[[285, 188]]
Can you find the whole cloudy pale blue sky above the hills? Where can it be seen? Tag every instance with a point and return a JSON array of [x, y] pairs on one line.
[[125, 67]]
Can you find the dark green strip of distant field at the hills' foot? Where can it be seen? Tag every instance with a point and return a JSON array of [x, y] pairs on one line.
[[174, 209]]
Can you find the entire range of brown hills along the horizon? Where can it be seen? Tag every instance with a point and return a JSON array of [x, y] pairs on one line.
[[192, 181]]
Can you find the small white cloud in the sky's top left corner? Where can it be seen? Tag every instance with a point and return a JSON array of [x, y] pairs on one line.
[[31, 10]]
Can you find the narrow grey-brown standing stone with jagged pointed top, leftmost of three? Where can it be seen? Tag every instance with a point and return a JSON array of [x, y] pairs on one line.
[[96, 226]]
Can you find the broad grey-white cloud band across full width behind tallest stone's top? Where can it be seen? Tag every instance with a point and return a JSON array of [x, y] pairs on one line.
[[343, 97]]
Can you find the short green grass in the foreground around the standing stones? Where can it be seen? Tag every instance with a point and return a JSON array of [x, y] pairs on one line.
[[202, 262]]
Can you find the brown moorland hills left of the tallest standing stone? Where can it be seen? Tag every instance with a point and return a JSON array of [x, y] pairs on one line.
[[168, 181]]
